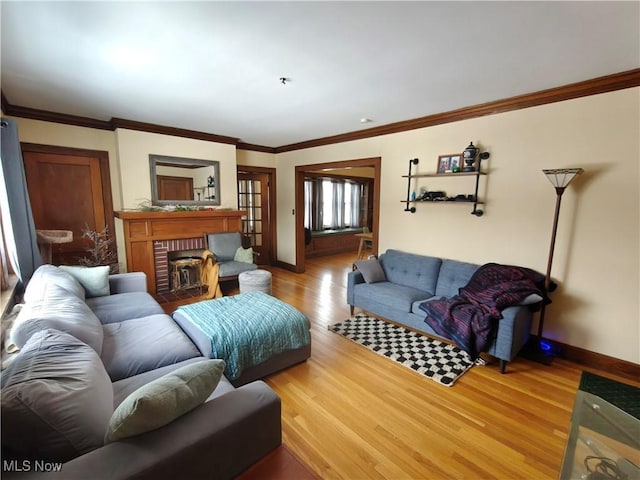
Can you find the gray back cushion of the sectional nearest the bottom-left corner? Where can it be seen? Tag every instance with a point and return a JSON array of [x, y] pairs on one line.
[[57, 399]]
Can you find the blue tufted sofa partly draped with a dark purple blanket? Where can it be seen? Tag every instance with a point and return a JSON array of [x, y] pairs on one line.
[[411, 279]]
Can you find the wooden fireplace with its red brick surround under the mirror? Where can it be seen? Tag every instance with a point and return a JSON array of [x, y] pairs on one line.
[[151, 236]]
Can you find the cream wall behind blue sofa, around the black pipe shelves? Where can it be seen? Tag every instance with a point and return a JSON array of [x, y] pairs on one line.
[[597, 251]]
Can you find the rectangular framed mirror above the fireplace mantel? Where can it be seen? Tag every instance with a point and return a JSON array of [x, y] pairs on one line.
[[184, 181]]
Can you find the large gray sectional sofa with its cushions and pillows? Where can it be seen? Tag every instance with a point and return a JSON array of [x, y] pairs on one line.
[[83, 360]]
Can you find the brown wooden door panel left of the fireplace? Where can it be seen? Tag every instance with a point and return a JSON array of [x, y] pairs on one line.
[[69, 189]]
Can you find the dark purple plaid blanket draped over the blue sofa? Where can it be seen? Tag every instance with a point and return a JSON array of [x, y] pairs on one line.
[[469, 318]]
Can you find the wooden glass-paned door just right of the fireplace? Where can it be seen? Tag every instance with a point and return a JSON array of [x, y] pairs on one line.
[[255, 196]]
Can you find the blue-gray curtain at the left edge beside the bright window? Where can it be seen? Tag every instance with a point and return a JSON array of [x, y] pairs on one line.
[[17, 218]]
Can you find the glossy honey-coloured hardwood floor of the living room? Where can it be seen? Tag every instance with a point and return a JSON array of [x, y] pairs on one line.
[[351, 414]]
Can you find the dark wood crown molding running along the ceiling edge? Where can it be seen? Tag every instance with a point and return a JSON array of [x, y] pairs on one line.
[[608, 83]]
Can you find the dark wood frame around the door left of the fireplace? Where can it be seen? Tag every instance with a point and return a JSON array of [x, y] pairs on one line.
[[105, 176]]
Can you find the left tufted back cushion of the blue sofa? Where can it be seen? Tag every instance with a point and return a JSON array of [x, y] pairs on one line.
[[411, 270]]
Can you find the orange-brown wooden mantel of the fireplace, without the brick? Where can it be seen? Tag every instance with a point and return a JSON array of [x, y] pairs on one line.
[[141, 229]]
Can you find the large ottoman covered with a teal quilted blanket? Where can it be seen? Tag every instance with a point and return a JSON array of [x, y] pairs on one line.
[[254, 333]]
